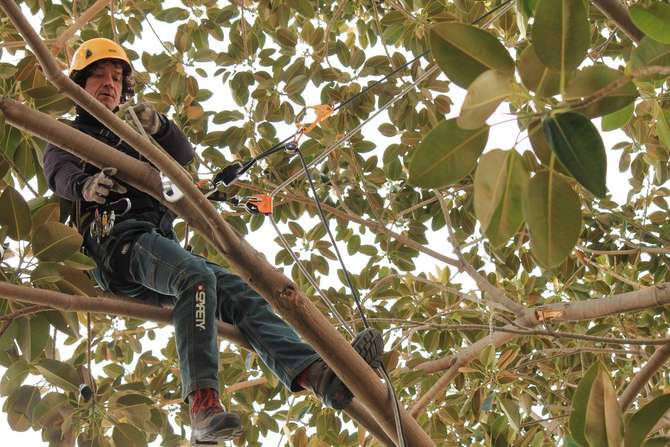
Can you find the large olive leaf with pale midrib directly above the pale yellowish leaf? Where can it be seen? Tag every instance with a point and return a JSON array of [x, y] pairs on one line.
[[463, 52]]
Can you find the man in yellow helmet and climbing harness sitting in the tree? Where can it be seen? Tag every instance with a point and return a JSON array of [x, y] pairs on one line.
[[129, 235]]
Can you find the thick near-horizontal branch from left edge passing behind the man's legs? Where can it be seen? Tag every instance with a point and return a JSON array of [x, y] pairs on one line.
[[111, 306]]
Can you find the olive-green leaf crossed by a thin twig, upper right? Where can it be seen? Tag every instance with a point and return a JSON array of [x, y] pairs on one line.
[[591, 79]]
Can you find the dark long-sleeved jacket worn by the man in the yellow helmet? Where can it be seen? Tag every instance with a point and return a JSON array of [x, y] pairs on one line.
[[66, 174]]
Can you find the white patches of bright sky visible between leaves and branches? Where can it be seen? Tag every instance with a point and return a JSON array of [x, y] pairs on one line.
[[502, 136]]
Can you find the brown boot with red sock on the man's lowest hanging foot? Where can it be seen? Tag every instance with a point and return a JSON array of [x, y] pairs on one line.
[[210, 423]]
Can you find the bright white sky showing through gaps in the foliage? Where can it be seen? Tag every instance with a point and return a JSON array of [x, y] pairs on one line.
[[501, 136]]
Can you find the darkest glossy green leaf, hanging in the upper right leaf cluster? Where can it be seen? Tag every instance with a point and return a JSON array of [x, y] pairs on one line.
[[577, 143]]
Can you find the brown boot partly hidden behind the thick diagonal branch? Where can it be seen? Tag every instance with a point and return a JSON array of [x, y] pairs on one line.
[[321, 380]]
